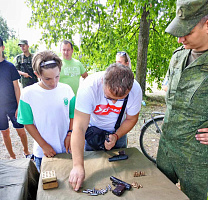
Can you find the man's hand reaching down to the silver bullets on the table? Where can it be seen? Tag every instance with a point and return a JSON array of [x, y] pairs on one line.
[[76, 177]]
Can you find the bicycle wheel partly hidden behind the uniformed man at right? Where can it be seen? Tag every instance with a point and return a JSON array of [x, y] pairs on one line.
[[150, 136]]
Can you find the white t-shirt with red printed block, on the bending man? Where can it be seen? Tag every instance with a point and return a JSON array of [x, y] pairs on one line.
[[104, 113]]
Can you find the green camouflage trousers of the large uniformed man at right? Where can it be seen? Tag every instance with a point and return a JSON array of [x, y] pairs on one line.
[[193, 176]]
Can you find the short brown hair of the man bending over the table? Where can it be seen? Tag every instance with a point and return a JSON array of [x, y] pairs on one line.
[[119, 79]]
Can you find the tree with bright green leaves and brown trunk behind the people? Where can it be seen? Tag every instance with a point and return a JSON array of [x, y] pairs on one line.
[[137, 27]]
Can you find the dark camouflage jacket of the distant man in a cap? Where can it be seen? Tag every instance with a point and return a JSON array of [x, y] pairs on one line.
[[24, 64]]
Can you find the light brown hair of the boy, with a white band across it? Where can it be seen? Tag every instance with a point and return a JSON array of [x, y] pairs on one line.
[[39, 61]]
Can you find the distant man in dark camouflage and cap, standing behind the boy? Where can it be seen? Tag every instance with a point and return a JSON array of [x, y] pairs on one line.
[[24, 65]]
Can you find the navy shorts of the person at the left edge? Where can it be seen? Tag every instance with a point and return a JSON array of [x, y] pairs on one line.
[[6, 113]]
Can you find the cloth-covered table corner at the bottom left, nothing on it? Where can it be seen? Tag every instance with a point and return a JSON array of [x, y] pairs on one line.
[[18, 179]]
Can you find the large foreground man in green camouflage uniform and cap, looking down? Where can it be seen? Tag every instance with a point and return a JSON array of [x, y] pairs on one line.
[[183, 149]]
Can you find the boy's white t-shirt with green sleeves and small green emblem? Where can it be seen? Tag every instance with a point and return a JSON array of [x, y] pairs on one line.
[[49, 111]]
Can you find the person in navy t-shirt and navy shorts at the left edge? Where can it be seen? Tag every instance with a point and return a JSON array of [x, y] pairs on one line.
[[9, 100]]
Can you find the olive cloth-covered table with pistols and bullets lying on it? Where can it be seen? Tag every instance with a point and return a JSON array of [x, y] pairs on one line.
[[98, 171]]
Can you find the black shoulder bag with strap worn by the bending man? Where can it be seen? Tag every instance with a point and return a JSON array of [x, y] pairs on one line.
[[95, 136]]
